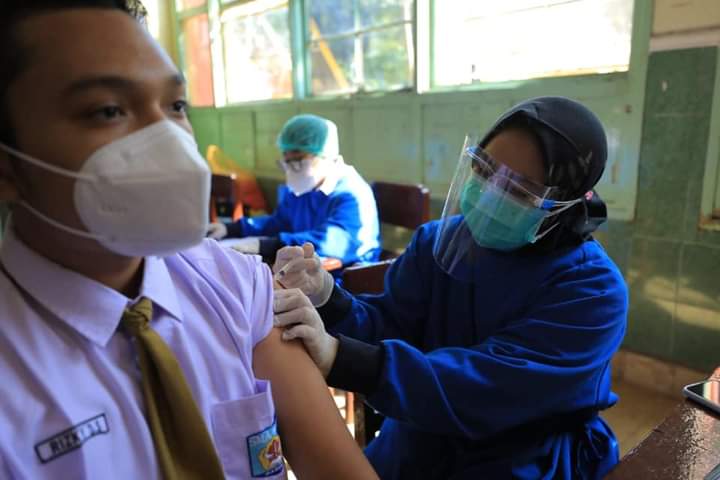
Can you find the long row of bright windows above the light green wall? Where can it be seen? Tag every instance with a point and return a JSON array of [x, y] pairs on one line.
[[346, 46]]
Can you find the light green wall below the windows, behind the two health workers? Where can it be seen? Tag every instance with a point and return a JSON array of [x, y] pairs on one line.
[[410, 138]]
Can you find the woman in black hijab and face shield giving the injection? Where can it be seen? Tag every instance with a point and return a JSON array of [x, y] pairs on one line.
[[489, 350]]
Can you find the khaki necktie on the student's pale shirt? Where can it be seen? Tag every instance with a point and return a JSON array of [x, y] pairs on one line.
[[182, 442]]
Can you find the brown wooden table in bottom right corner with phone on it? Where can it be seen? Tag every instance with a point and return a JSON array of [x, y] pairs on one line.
[[686, 445]]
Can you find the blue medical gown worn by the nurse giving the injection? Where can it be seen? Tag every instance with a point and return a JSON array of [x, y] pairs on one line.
[[530, 341]]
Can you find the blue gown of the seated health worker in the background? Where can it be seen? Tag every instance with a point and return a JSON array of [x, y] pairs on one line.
[[341, 224]]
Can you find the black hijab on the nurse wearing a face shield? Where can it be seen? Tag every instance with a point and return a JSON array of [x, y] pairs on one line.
[[574, 148]]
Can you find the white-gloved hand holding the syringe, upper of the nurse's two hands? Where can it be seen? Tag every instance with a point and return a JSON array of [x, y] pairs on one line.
[[301, 268]]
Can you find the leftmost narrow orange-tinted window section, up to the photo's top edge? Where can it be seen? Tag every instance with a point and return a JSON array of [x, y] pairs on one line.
[[195, 51]]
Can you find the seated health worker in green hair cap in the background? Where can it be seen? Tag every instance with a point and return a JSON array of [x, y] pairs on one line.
[[324, 202]]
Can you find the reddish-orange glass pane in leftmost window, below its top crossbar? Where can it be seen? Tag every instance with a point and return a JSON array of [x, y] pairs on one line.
[[196, 55]]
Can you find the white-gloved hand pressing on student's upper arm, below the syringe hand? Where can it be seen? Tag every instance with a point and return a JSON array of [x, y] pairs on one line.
[[295, 313]]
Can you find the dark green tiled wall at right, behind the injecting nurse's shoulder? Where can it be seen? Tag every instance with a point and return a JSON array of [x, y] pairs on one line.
[[672, 266]]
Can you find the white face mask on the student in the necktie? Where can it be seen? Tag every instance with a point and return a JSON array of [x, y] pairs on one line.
[[144, 194]]
